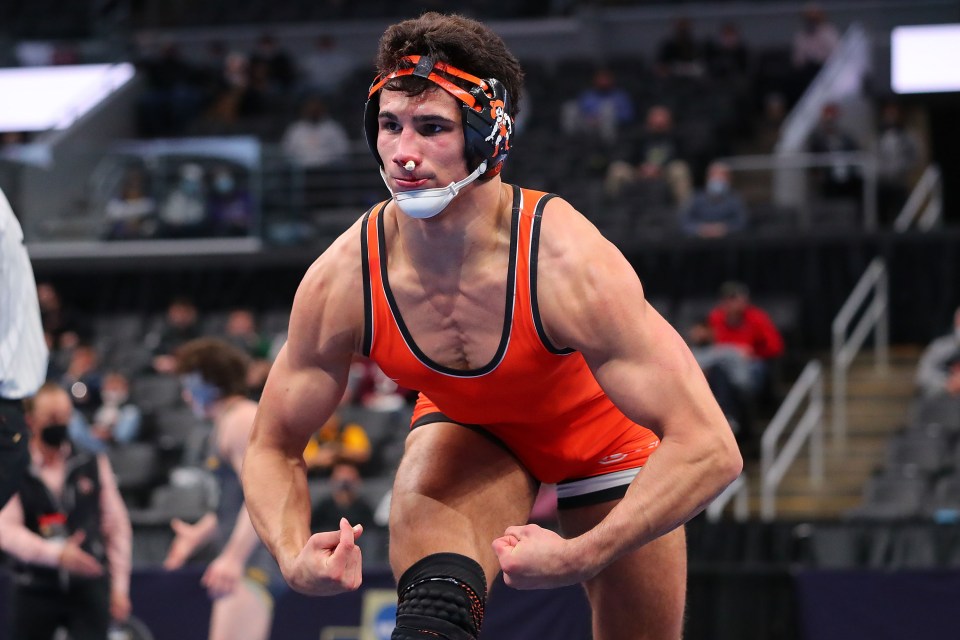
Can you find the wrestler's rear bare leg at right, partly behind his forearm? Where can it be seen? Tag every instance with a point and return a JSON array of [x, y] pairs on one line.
[[641, 595]]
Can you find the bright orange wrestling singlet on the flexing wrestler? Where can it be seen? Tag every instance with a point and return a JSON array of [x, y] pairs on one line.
[[541, 402]]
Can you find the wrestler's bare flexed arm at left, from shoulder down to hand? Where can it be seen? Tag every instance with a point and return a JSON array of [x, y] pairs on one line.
[[303, 389]]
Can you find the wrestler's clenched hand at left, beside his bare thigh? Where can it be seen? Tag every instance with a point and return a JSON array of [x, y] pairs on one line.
[[330, 563]]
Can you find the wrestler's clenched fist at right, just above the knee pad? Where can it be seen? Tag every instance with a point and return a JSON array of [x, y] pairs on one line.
[[536, 558]]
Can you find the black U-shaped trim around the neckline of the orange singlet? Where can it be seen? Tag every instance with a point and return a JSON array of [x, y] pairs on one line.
[[507, 314]]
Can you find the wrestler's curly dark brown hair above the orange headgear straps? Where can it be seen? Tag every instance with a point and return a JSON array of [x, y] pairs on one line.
[[466, 44]]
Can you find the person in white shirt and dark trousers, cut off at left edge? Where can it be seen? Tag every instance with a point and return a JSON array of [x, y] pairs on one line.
[[23, 350]]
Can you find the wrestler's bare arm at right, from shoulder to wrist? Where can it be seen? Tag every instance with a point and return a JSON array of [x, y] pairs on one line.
[[591, 300]]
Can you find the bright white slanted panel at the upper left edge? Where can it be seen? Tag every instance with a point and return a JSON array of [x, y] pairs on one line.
[[44, 98]]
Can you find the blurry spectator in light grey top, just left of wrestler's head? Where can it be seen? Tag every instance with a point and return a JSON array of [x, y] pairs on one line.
[[315, 139]]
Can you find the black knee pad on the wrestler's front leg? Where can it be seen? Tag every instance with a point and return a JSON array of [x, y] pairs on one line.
[[441, 597]]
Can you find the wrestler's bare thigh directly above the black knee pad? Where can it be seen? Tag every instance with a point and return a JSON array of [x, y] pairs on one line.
[[456, 490]]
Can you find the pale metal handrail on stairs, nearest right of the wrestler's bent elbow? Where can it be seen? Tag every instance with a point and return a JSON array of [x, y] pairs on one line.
[[807, 426]]
